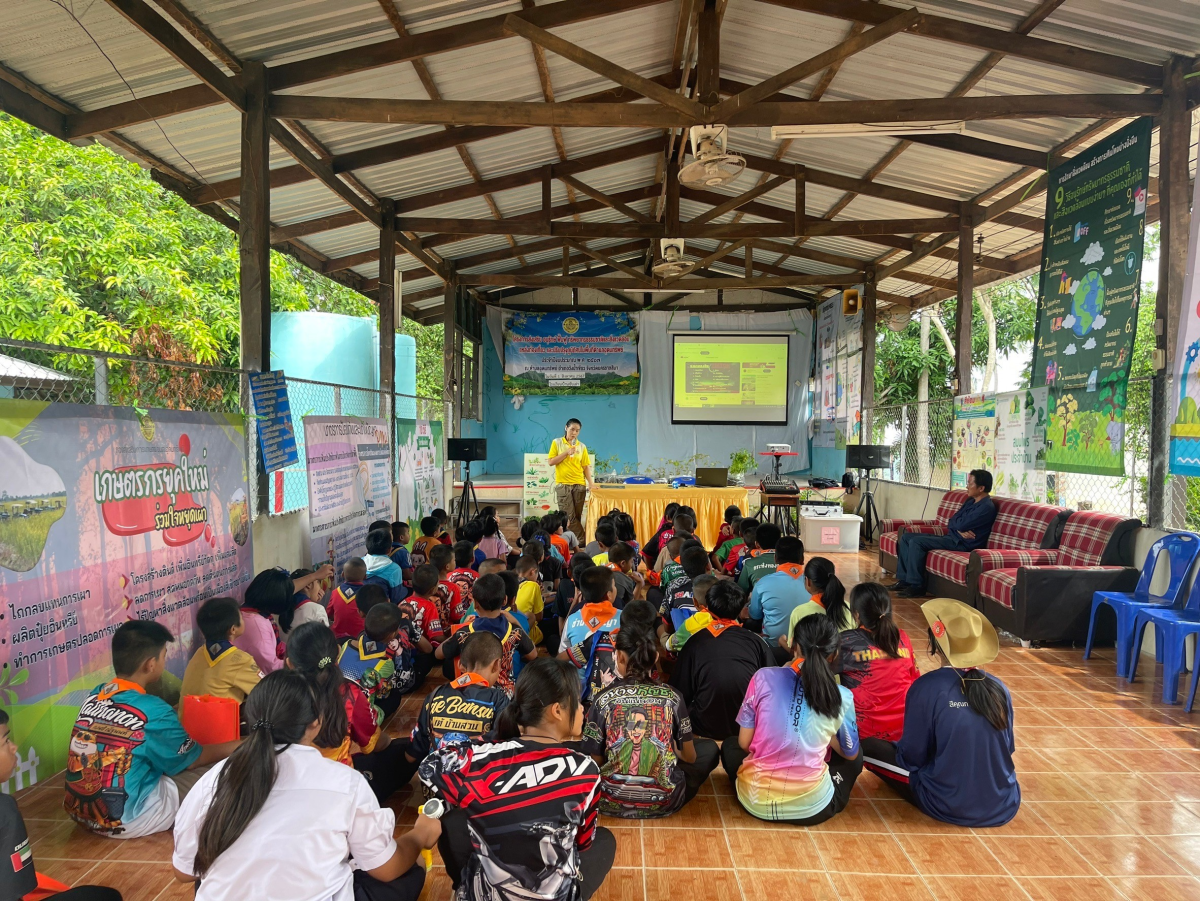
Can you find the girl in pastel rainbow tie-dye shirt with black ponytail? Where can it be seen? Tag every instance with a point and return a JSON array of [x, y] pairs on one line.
[[791, 718]]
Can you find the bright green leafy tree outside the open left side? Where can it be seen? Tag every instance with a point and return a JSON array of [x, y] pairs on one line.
[[97, 255]]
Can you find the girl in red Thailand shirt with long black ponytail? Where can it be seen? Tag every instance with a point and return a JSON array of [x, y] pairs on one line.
[[877, 663]]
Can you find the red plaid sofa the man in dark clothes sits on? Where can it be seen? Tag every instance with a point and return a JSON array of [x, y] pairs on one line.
[[1021, 526]]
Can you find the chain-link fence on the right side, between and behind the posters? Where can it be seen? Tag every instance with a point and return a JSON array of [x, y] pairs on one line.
[[921, 437]]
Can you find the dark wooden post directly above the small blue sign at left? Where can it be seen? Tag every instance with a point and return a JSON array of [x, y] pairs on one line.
[[255, 243]]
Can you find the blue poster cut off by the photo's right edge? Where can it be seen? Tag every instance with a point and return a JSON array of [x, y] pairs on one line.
[[1186, 387]]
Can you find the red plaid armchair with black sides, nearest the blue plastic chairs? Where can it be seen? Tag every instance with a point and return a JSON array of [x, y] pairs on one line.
[[1047, 594]]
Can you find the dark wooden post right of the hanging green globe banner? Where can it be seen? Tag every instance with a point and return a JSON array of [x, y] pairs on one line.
[[1173, 255]]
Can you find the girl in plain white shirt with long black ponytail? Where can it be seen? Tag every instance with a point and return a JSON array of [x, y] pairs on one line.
[[278, 792]]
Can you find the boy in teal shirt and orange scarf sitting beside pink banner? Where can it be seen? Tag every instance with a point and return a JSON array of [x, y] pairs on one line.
[[130, 762]]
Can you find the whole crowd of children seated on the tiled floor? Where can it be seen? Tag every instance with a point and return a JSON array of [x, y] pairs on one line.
[[607, 680]]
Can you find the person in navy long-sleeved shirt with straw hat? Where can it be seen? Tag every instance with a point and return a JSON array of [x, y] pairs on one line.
[[955, 761]]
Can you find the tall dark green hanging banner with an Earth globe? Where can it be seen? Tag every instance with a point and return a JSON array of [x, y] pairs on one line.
[[1088, 309]]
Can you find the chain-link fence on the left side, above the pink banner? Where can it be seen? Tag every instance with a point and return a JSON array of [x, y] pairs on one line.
[[64, 375]]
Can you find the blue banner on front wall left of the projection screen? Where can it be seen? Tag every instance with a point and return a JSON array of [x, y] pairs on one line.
[[579, 353]]
